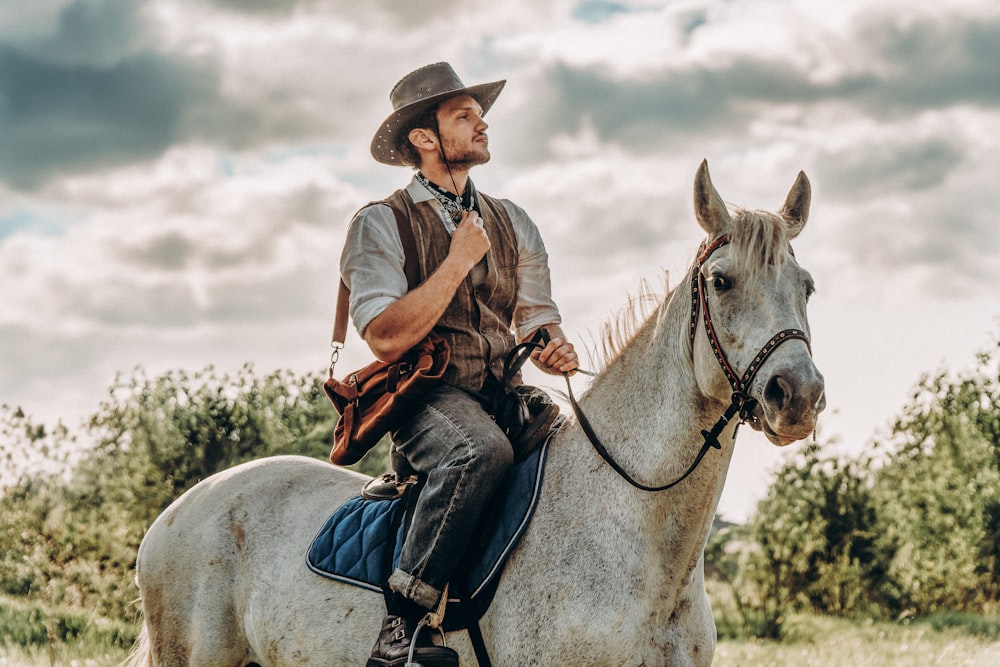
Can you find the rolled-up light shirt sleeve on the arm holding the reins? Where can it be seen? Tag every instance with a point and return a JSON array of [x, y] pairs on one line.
[[535, 306]]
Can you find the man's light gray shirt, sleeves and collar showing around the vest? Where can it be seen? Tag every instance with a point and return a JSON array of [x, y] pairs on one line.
[[371, 264]]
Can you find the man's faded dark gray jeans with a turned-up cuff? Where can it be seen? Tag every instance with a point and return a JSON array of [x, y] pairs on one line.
[[456, 445]]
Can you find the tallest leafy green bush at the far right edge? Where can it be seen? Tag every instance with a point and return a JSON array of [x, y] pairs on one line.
[[939, 494]]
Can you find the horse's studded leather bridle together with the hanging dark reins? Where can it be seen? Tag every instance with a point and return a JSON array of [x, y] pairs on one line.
[[741, 403]]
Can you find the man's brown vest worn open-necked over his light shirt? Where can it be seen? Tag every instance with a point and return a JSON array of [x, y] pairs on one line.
[[477, 322]]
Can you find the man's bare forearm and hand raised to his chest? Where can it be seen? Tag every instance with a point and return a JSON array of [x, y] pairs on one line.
[[406, 321]]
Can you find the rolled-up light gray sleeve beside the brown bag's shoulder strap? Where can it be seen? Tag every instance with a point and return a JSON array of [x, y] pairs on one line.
[[371, 264]]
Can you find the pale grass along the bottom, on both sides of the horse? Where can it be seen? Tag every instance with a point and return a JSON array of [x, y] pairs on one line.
[[819, 642]]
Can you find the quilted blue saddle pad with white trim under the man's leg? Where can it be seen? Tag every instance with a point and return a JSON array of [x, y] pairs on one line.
[[355, 543]]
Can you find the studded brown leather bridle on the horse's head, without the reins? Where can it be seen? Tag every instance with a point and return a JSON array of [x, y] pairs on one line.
[[741, 401]]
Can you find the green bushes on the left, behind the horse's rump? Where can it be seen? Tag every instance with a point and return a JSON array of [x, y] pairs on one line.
[[72, 538]]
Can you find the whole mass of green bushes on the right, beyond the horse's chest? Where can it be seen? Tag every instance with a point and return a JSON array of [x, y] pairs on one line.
[[913, 528]]
